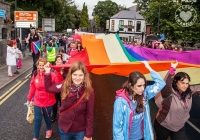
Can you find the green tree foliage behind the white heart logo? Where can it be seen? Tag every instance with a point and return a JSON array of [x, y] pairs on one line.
[[150, 9]]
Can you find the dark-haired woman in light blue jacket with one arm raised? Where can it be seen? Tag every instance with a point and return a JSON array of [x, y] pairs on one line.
[[131, 117]]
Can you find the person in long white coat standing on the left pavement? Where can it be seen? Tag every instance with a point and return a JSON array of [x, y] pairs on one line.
[[10, 57]]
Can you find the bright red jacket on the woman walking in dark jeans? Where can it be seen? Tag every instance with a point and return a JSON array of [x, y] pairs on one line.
[[42, 98]]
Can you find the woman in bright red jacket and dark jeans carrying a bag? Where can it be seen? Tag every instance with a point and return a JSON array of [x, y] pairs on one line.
[[43, 100]]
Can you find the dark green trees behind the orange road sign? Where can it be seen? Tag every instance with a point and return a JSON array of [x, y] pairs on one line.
[[65, 12]]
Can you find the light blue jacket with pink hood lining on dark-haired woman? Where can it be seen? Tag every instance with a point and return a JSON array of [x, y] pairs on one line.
[[123, 113]]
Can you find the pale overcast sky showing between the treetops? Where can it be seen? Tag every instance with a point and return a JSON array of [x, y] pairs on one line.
[[91, 3]]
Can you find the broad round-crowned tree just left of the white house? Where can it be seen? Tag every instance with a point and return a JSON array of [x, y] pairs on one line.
[[105, 10]]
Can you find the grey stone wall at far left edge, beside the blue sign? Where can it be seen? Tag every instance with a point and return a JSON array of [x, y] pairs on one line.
[[4, 32]]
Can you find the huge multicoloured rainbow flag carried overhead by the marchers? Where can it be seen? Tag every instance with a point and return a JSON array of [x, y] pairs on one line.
[[105, 54]]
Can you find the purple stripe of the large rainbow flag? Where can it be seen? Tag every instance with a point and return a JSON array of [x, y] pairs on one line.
[[192, 57]]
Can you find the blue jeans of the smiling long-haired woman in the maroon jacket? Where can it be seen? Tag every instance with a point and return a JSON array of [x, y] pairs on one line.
[[71, 136]]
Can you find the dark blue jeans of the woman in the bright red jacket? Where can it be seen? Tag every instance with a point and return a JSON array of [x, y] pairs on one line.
[[40, 112]]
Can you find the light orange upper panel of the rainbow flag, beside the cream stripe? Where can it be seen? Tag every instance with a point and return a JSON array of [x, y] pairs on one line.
[[96, 50]]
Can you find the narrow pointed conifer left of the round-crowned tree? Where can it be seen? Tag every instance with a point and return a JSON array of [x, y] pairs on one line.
[[84, 19]]
